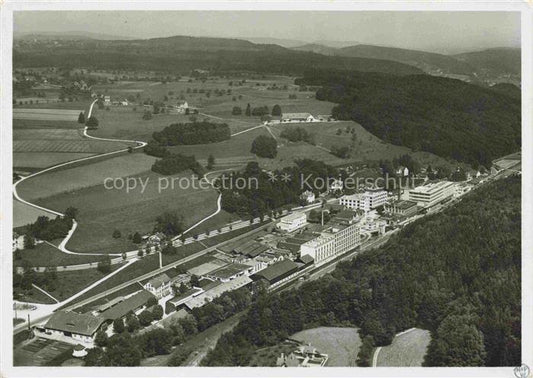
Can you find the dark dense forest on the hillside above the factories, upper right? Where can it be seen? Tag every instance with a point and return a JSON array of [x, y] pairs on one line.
[[447, 117]]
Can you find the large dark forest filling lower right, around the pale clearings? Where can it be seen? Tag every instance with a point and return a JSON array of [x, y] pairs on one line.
[[456, 273]]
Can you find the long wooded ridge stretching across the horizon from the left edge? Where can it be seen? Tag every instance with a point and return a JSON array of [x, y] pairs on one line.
[[181, 54]]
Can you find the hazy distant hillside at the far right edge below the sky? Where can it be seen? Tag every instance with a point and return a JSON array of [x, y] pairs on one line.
[[497, 60]]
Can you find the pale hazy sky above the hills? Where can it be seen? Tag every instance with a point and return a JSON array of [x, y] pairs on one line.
[[443, 32]]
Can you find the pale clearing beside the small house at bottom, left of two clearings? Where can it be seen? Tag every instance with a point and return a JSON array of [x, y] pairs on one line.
[[340, 344]]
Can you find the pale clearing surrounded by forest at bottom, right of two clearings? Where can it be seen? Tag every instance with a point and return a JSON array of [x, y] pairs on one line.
[[406, 350]]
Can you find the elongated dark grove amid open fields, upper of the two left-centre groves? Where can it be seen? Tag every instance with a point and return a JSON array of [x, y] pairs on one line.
[[192, 133]]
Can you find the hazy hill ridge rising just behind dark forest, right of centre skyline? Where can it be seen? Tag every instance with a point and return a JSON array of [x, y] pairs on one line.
[[424, 60]]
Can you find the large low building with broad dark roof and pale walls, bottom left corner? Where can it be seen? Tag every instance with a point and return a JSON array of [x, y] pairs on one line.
[[71, 327]]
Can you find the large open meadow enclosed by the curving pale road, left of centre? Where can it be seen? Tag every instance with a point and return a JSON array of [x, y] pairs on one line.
[[101, 211]]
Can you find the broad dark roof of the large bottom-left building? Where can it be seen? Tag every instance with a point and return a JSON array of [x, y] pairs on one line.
[[69, 321]]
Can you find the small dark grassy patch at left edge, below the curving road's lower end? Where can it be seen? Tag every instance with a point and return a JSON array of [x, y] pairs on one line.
[[45, 254]]
